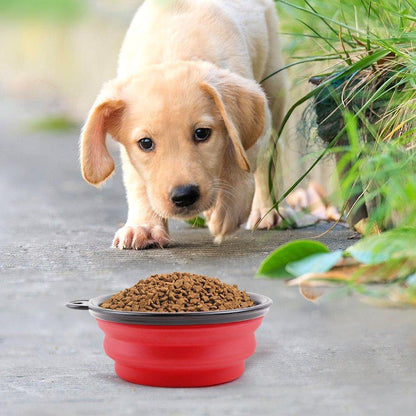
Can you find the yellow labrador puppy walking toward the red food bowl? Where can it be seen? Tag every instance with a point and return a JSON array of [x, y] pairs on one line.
[[190, 116]]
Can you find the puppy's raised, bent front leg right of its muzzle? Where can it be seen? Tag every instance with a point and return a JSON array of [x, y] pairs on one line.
[[232, 207]]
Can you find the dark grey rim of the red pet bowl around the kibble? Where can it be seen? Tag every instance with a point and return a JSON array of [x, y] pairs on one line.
[[261, 307]]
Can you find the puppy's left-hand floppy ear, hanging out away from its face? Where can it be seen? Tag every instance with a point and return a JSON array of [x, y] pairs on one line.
[[105, 116]]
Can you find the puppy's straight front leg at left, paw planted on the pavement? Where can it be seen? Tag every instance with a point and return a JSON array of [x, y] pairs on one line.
[[144, 228]]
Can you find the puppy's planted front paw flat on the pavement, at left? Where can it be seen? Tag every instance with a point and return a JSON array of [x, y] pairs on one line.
[[138, 237]]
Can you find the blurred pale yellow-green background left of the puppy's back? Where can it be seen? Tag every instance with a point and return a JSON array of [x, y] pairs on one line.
[[55, 54]]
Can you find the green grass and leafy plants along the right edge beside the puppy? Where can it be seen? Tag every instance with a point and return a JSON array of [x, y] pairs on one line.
[[362, 55]]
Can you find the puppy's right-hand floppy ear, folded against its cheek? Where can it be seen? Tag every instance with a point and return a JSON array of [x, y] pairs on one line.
[[243, 107]]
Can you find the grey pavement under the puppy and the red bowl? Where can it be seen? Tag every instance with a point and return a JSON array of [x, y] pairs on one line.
[[338, 358]]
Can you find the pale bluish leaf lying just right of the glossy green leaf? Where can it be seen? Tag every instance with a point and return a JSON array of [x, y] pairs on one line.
[[316, 263]]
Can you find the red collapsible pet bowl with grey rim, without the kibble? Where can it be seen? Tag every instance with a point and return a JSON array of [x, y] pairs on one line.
[[182, 349]]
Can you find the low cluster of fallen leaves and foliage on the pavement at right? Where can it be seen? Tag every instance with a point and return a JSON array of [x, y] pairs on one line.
[[388, 259]]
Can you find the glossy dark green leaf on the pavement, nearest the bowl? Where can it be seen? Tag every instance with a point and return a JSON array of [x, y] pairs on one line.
[[274, 264]]
